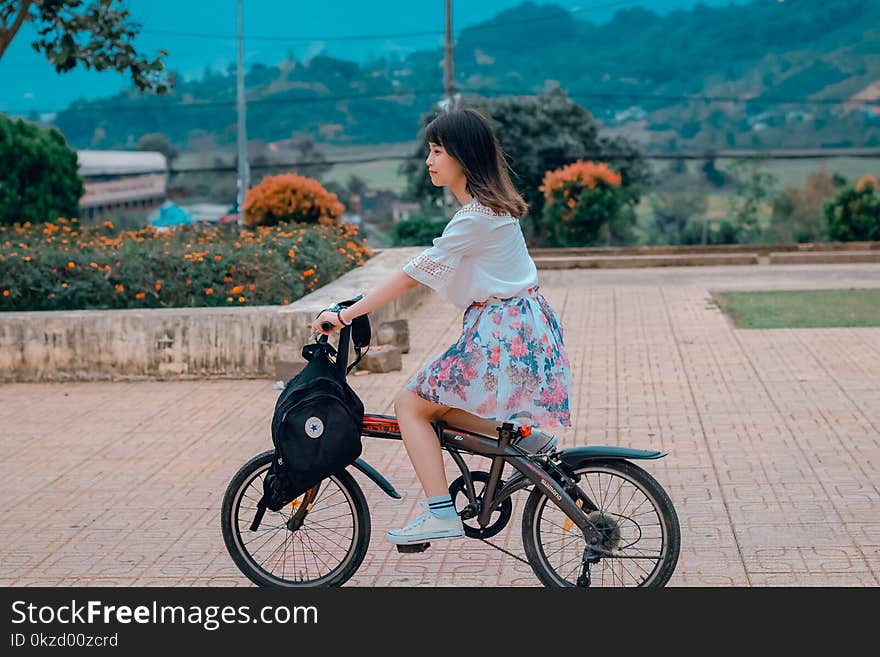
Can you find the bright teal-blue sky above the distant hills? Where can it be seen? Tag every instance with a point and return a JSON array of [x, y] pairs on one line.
[[29, 82]]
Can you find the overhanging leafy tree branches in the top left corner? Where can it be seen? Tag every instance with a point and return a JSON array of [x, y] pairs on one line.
[[97, 35]]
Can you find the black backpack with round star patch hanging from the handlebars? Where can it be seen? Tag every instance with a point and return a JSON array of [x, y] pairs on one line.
[[317, 423]]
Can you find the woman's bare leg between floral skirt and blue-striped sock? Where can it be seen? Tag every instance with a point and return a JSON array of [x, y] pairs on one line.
[[415, 414]]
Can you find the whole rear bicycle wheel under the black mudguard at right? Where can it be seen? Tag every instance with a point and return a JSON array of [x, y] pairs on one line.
[[638, 529]]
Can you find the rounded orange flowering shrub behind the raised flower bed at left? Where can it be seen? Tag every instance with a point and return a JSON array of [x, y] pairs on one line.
[[290, 197]]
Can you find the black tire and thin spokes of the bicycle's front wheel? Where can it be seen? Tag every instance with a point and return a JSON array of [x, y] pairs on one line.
[[235, 521]]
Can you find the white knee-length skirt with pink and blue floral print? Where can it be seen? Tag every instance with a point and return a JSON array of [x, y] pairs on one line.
[[508, 365]]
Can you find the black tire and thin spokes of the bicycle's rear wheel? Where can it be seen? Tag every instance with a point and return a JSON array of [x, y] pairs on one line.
[[572, 542]]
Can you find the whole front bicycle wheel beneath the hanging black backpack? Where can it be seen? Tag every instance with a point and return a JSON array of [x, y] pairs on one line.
[[322, 545]]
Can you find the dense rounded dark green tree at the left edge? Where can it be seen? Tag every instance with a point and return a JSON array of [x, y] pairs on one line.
[[40, 179]]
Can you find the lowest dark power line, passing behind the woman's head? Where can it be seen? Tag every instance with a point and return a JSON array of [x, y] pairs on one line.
[[796, 154]]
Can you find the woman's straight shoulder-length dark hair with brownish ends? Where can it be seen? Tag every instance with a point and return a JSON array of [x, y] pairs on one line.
[[467, 136]]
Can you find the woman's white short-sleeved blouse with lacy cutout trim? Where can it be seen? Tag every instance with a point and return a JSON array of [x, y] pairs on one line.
[[480, 254]]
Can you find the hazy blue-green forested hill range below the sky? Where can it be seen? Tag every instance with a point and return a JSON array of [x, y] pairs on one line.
[[630, 72]]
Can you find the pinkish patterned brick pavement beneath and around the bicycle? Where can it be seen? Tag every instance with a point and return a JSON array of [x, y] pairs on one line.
[[774, 439]]
